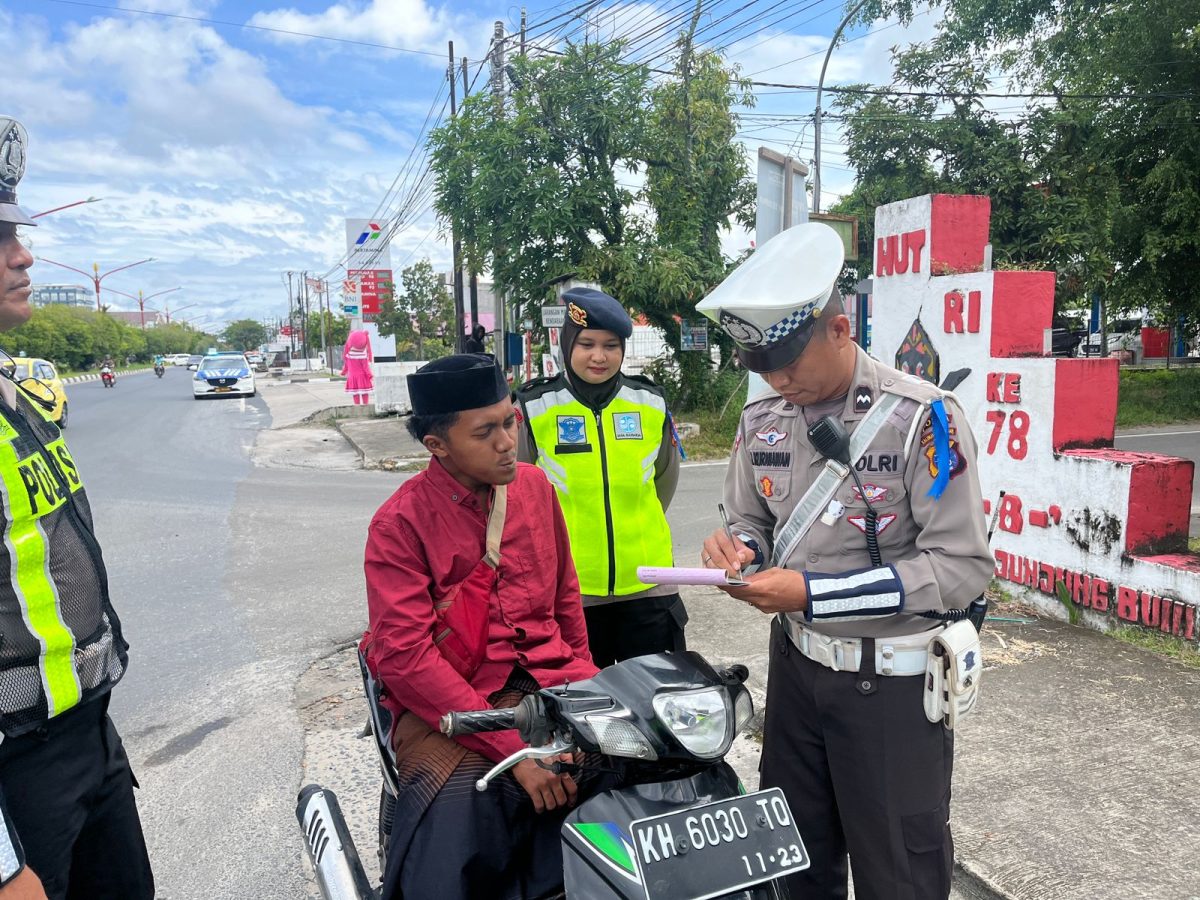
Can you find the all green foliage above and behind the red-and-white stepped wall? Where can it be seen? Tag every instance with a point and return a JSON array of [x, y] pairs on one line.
[[1113, 195]]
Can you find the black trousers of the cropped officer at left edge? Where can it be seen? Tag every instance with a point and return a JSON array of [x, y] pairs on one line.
[[70, 794]]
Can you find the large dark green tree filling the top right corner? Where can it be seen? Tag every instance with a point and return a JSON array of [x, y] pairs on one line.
[[1114, 148]]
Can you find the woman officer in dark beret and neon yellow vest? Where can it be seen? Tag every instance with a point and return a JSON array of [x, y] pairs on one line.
[[607, 442]]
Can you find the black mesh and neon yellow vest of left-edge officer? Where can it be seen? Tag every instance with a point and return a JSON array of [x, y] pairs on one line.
[[63, 643]]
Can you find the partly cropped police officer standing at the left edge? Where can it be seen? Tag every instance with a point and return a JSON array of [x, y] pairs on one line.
[[69, 825]]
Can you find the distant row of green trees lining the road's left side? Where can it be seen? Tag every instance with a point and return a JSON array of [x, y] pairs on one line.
[[77, 339]]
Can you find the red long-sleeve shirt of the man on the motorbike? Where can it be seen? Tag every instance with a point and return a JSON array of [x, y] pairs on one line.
[[429, 537]]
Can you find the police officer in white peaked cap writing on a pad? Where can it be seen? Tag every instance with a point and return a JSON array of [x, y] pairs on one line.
[[850, 735]]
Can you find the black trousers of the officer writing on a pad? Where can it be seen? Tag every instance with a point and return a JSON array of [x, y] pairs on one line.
[[866, 773]]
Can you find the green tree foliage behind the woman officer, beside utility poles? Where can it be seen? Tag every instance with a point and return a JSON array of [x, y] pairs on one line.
[[549, 184]]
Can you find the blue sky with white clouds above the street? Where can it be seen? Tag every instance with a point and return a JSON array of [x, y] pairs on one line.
[[230, 141]]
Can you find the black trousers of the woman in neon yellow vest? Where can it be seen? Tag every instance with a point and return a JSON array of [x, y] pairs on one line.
[[634, 628]]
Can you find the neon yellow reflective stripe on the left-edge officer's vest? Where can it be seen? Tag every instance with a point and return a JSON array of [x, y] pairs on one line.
[[32, 493]]
